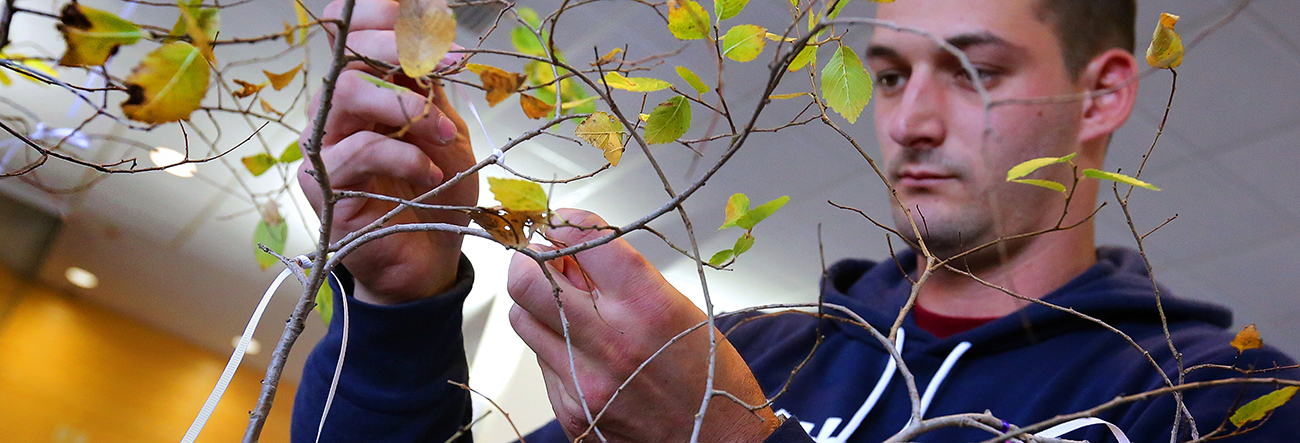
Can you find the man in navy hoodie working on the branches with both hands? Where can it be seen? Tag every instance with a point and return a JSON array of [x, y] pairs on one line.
[[972, 346]]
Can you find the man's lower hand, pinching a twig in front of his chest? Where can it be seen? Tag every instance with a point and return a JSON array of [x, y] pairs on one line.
[[621, 311]]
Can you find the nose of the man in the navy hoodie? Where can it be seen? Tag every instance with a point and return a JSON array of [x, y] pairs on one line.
[[917, 121]]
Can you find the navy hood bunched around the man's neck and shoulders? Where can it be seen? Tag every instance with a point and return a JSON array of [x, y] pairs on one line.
[[1117, 290]]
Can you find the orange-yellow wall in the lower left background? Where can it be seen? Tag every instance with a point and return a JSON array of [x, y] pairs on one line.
[[73, 372]]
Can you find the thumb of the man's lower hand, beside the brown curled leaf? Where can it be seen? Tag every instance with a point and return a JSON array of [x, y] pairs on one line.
[[614, 267]]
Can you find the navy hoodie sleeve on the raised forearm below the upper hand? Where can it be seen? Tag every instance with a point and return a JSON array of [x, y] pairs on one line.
[[395, 381]]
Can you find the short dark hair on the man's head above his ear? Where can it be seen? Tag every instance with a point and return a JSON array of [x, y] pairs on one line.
[[1086, 29]]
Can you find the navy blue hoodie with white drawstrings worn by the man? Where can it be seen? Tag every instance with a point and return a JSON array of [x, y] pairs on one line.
[[1028, 367]]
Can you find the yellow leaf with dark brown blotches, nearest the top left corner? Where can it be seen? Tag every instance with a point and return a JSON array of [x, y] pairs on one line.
[[93, 36]]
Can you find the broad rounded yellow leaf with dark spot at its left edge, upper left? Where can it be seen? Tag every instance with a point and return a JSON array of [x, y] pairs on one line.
[[168, 85]]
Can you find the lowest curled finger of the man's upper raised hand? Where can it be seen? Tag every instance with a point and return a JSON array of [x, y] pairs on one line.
[[366, 155]]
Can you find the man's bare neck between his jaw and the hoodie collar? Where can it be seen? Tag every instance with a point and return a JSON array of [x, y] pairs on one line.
[[1032, 268]]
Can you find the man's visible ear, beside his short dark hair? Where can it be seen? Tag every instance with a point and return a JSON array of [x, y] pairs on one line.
[[1111, 84]]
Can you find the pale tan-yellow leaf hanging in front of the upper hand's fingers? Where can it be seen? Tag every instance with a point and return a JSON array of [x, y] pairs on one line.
[[424, 33]]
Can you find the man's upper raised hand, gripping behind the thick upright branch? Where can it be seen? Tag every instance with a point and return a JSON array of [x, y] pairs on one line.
[[362, 154]]
